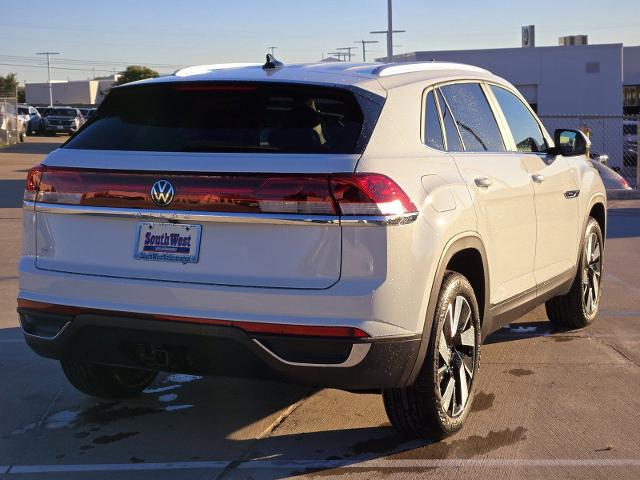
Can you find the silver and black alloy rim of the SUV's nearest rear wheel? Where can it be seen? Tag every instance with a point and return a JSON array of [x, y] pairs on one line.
[[456, 355]]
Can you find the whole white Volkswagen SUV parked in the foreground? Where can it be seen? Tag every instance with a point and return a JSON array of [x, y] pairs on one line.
[[357, 226]]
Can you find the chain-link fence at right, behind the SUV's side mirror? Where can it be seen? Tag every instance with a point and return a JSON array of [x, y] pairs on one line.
[[613, 135]]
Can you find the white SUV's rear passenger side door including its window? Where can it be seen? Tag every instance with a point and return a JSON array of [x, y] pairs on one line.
[[499, 183]]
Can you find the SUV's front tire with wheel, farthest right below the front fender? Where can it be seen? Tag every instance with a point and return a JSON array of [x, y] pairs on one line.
[[579, 307]]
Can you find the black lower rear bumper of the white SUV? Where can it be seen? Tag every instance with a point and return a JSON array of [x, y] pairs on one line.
[[180, 346]]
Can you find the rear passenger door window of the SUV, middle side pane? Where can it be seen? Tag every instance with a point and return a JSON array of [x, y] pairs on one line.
[[473, 115]]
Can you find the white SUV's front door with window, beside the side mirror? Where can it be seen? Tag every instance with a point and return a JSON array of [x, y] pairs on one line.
[[555, 188]]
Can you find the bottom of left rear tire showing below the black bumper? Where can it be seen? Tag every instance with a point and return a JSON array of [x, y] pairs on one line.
[[105, 381]]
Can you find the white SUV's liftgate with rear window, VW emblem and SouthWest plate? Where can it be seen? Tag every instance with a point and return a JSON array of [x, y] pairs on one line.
[[200, 182]]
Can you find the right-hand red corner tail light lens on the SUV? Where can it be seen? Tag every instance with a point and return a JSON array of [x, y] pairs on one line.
[[369, 194]]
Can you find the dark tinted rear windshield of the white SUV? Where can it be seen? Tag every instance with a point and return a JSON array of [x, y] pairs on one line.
[[217, 117]]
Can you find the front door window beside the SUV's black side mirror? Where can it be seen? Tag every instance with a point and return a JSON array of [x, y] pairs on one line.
[[524, 127]]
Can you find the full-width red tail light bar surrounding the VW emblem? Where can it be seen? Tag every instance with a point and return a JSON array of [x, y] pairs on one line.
[[346, 194]]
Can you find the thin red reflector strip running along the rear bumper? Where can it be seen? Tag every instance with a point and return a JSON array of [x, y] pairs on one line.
[[249, 327]]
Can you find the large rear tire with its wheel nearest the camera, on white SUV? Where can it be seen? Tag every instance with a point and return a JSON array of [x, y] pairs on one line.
[[419, 410]]
